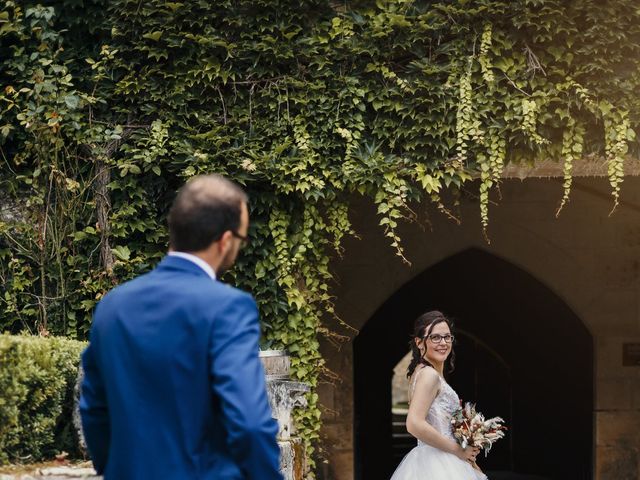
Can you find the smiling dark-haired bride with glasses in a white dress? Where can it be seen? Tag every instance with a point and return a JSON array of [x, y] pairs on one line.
[[432, 402]]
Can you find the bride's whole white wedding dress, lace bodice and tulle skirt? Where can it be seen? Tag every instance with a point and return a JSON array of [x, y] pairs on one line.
[[428, 463]]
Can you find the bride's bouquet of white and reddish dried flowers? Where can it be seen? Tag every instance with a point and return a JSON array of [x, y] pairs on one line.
[[471, 428]]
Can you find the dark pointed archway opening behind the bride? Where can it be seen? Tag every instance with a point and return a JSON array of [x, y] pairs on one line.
[[547, 349]]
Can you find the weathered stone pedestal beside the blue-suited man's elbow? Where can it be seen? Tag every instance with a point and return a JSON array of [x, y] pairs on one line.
[[284, 396]]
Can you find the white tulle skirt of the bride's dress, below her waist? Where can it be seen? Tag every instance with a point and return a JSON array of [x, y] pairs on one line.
[[427, 463]]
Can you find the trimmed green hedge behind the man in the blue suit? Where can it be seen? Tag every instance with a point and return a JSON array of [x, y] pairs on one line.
[[37, 378]]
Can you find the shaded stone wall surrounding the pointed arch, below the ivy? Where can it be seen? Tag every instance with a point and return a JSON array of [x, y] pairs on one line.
[[587, 257]]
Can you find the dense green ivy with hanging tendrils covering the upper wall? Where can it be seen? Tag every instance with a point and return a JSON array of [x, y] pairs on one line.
[[104, 115]]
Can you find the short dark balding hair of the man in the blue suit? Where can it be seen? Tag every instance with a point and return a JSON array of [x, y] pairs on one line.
[[205, 208]]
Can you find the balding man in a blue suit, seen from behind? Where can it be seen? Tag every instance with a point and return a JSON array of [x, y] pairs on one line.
[[173, 385]]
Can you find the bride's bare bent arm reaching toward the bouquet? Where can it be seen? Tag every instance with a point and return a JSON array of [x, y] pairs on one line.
[[425, 392]]
